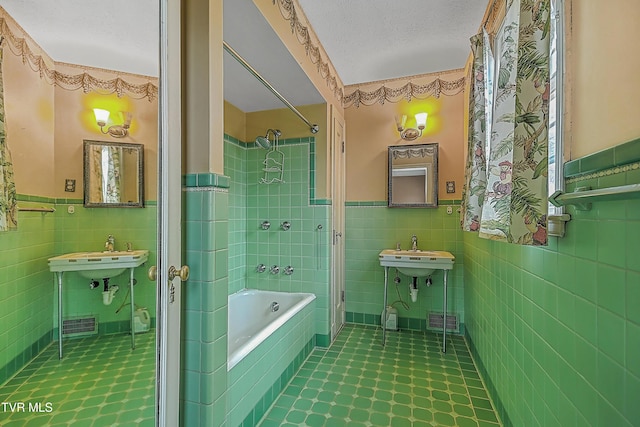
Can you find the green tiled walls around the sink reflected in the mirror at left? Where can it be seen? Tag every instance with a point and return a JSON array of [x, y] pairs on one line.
[[28, 296]]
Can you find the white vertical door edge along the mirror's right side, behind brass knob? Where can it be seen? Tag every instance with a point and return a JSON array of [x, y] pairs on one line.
[[169, 216]]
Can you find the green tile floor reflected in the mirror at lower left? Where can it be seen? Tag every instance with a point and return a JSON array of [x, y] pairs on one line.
[[99, 382]]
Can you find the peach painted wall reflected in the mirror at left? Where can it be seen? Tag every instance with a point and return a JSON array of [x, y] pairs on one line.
[[47, 124]]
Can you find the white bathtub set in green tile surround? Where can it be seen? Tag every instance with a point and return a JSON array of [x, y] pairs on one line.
[[255, 315]]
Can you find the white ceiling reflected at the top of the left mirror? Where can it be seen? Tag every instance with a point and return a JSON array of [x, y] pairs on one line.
[[122, 37]]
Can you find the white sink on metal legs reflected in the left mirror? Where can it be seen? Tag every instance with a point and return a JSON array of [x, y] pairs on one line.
[[97, 265]]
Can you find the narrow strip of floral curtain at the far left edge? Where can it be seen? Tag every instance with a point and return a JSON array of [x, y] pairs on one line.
[[8, 203]]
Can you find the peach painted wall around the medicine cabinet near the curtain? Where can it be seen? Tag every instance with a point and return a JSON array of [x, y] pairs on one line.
[[371, 129]]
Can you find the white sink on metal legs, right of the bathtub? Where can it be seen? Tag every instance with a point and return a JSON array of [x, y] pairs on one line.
[[417, 264]]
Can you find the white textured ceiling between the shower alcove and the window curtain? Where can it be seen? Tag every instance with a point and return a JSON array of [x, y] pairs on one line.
[[370, 40]]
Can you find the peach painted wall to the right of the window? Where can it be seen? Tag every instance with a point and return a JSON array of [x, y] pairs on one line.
[[603, 69]]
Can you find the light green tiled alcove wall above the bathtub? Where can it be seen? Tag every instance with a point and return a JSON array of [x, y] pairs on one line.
[[305, 246]]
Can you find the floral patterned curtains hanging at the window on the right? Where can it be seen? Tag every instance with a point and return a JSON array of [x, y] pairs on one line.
[[514, 206]]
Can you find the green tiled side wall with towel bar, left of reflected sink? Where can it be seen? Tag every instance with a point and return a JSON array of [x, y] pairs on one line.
[[26, 287]]
